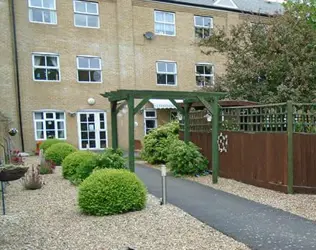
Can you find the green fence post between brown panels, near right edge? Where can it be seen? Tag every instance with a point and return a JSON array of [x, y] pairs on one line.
[[290, 147]]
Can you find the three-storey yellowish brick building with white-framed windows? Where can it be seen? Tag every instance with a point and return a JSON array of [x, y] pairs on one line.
[[59, 55]]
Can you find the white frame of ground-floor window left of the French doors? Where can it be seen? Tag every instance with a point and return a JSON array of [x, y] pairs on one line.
[[49, 119]]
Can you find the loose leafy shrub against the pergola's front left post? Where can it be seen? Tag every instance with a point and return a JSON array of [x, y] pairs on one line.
[[111, 158]]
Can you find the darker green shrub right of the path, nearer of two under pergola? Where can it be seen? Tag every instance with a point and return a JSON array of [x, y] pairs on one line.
[[186, 159]]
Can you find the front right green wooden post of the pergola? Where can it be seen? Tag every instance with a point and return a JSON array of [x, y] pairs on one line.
[[215, 132]]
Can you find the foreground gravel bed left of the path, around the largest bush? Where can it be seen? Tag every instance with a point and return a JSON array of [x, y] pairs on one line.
[[49, 219]]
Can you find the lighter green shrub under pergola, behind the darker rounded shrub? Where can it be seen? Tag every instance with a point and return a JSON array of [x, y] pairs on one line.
[[156, 143]]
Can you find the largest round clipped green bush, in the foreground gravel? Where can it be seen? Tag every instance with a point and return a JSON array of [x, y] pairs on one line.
[[111, 191]]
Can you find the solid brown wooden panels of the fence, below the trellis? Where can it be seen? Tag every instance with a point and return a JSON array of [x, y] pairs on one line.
[[260, 159]]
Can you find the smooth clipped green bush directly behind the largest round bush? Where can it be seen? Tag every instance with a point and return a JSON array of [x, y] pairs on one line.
[[78, 165]]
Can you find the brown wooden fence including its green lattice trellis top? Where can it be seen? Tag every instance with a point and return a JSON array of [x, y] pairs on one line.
[[258, 144]]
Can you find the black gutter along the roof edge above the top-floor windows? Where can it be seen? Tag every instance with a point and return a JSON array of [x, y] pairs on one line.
[[213, 7]]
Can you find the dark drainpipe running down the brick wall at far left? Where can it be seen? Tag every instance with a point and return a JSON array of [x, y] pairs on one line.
[[16, 69]]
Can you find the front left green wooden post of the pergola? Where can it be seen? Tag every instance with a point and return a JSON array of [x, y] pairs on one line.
[[131, 142]]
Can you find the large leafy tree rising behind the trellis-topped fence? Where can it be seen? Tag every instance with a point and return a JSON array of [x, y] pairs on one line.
[[269, 59]]
